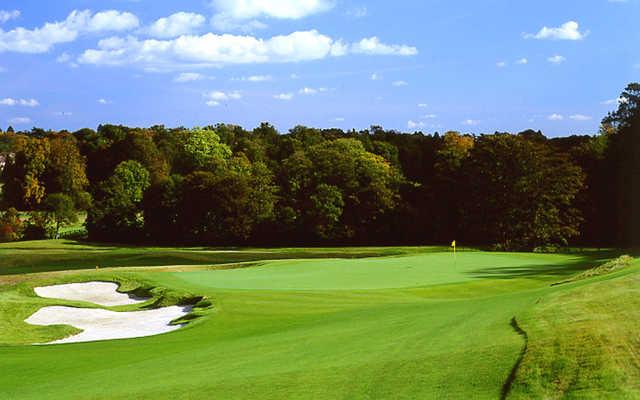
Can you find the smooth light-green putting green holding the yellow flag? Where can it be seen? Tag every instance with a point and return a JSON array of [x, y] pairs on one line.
[[378, 273]]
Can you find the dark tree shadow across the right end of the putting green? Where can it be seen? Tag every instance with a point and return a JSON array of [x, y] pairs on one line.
[[584, 261]]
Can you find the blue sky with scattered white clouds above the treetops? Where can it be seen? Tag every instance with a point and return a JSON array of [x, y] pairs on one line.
[[431, 65]]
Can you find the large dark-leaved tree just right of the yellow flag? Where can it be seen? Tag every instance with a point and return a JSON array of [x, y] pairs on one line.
[[520, 193]]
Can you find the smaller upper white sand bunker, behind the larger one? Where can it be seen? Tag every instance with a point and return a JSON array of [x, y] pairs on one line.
[[102, 293]]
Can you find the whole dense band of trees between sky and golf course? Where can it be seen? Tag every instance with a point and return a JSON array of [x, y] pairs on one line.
[[224, 185]]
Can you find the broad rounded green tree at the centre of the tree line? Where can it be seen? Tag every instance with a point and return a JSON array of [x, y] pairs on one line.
[[359, 186]]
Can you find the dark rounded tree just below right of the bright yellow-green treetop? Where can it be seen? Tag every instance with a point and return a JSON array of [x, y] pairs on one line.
[[212, 207]]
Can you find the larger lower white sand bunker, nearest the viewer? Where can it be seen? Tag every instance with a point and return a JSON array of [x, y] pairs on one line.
[[104, 325]]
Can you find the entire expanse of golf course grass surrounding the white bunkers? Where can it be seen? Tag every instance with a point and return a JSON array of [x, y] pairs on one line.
[[408, 324]]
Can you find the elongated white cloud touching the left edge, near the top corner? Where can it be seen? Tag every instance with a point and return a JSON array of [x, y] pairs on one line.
[[41, 40]]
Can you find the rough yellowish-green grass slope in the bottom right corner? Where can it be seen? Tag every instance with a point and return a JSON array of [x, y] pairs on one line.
[[584, 341]]
